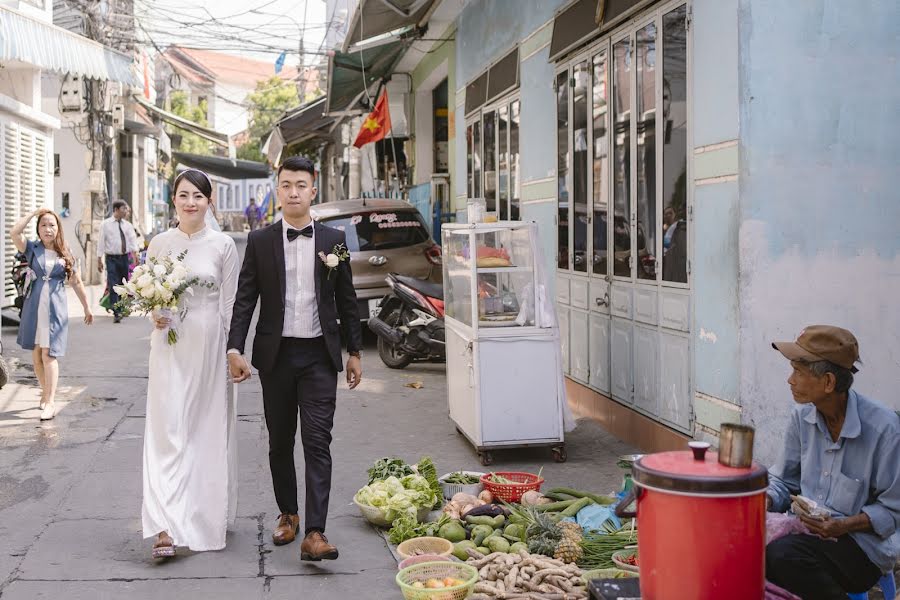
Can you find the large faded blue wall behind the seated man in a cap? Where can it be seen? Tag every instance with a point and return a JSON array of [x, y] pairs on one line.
[[819, 107]]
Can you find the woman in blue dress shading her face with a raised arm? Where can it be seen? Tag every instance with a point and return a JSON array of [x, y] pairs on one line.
[[44, 324]]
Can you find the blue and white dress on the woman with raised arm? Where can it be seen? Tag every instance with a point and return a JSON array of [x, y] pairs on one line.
[[59, 310]]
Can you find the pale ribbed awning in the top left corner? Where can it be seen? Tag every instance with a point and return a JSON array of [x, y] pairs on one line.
[[55, 49]]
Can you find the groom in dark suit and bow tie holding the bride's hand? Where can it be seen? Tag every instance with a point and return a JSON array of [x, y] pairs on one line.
[[293, 268]]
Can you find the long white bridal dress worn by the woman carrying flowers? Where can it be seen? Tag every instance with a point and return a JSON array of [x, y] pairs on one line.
[[190, 476]]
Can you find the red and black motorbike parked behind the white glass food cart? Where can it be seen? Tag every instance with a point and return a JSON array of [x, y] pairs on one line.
[[410, 322]]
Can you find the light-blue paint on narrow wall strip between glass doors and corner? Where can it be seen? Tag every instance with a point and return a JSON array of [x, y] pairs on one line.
[[714, 113]]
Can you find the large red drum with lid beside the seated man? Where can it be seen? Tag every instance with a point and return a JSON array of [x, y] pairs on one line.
[[701, 527]]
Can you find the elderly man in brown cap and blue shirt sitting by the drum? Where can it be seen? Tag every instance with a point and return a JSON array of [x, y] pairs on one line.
[[842, 451]]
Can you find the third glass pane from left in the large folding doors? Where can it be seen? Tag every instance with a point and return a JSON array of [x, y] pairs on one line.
[[600, 165]]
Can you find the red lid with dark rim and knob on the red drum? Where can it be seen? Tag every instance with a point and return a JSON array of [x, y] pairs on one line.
[[697, 473]]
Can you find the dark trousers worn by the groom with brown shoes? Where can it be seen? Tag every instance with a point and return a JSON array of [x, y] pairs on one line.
[[303, 378]]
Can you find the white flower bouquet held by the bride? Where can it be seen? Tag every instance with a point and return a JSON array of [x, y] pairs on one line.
[[157, 285]]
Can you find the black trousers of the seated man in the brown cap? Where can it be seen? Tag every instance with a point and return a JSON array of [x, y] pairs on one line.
[[817, 569]]
